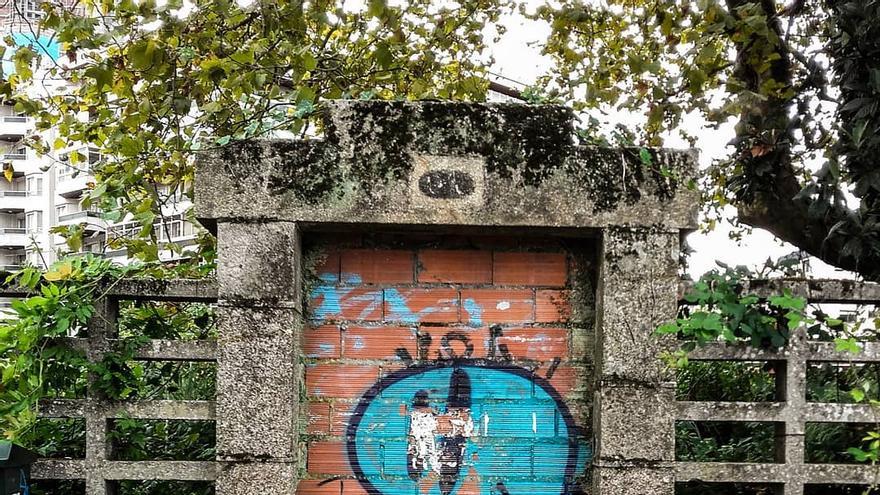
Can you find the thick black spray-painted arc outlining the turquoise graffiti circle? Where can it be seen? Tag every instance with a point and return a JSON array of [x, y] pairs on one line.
[[385, 382]]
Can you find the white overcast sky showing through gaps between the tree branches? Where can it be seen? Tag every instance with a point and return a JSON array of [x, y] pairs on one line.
[[517, 56]]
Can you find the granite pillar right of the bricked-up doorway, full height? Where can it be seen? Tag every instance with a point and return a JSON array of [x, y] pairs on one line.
[[635, 396]]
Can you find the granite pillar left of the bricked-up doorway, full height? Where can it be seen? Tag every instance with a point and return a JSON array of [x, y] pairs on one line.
[[258, 375]]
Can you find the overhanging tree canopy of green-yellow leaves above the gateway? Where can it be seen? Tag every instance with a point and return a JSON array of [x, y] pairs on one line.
[[163, 81]]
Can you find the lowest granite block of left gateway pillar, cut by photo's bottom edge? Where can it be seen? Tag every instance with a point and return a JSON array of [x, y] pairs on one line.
[[258, 477]]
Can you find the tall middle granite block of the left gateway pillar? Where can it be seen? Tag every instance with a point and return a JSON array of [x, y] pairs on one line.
[[257, 383]]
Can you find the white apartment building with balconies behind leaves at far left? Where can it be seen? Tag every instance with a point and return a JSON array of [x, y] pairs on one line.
[[45, 192]]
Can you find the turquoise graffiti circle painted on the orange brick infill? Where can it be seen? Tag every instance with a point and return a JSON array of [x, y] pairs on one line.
[[524, 440]]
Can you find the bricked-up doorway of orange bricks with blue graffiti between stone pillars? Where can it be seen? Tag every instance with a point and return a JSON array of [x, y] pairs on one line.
[[440, 365]]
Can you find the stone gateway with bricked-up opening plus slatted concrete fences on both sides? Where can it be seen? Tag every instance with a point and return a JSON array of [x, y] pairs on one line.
[[454, 299]]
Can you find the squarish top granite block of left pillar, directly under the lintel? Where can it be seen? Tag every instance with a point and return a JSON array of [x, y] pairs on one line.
[[259, 264]]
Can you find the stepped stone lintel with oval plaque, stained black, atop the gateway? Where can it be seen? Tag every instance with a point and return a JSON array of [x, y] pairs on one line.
[[446, 163]]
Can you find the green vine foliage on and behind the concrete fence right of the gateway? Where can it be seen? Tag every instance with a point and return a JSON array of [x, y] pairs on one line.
[[720, 308]]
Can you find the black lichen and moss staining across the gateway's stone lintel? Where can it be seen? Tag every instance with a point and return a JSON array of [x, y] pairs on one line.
[[369, 147]]
